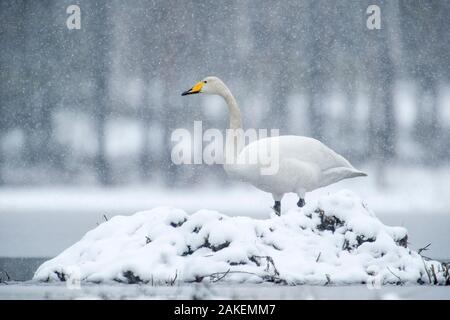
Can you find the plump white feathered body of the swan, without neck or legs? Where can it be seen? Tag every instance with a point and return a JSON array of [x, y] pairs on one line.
[[305, 164]]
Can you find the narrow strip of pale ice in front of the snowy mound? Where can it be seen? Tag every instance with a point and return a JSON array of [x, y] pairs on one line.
[[87, 291]]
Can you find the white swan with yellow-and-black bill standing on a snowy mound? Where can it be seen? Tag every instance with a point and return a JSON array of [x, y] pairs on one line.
[[303, 163]]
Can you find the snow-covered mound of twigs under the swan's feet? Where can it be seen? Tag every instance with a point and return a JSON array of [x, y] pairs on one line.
[[337, 240]]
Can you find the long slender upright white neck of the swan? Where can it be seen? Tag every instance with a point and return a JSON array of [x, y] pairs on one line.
[[234, 135]]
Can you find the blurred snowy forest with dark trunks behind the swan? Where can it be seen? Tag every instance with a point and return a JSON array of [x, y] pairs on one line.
[[98, 105]]
